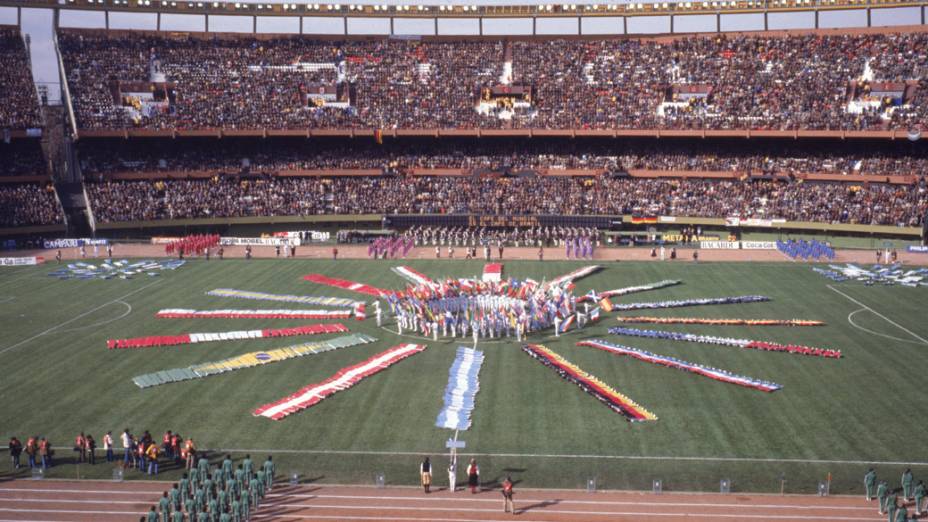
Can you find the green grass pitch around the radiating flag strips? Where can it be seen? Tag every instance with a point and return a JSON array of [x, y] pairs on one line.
[[834, 416]]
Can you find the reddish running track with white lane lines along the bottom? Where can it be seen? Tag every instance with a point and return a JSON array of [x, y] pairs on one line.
[[52, 500]]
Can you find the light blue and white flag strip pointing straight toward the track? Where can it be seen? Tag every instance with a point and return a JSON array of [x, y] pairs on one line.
[[461, 392]]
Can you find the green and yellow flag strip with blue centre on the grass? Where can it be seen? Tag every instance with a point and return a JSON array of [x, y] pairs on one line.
[[249, 360]]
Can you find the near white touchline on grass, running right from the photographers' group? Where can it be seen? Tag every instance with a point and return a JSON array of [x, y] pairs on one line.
[[571, 456]]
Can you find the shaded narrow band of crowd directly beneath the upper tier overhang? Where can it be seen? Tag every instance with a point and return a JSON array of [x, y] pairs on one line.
[[285, 154]]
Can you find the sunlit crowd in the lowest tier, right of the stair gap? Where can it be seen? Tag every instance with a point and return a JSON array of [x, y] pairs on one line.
[[226, 197]]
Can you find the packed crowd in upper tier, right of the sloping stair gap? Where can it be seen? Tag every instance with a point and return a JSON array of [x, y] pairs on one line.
[[759, 82]]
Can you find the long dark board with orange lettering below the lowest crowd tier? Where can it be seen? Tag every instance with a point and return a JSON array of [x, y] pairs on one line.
[[502, 221]]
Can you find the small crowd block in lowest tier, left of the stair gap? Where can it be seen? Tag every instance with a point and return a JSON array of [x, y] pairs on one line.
[[29, 204]]
